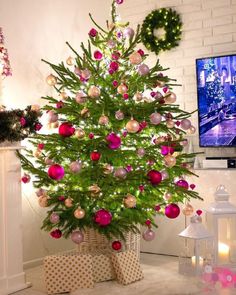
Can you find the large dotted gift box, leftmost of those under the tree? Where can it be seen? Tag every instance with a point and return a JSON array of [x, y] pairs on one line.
[[68, 272]]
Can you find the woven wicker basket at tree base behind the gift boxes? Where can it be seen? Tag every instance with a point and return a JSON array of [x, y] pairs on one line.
[[94, 241]]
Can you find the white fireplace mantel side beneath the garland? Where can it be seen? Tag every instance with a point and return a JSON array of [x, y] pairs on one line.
[[12, 276]]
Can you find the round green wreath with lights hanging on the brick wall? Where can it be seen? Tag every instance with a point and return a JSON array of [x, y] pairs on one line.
[[168, 25]]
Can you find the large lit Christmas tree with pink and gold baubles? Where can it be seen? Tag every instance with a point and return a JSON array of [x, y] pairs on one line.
[[115, 160]]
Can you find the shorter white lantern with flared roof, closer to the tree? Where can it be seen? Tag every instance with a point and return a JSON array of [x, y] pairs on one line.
[[197, 248]]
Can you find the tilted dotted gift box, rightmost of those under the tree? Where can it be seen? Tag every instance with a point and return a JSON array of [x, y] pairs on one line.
[[127, 267]]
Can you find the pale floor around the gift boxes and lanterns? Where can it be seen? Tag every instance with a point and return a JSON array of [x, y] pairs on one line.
[[160, 278]]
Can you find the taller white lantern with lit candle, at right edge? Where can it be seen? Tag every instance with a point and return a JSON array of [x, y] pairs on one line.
[[221, 221]]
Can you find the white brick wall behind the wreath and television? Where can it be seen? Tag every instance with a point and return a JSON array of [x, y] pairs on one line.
[[209, 28]]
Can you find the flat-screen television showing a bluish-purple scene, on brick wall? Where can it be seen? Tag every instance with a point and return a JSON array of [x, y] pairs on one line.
[[216, 91]]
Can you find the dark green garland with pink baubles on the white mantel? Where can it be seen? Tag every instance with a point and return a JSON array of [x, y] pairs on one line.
[[16, 125]]
